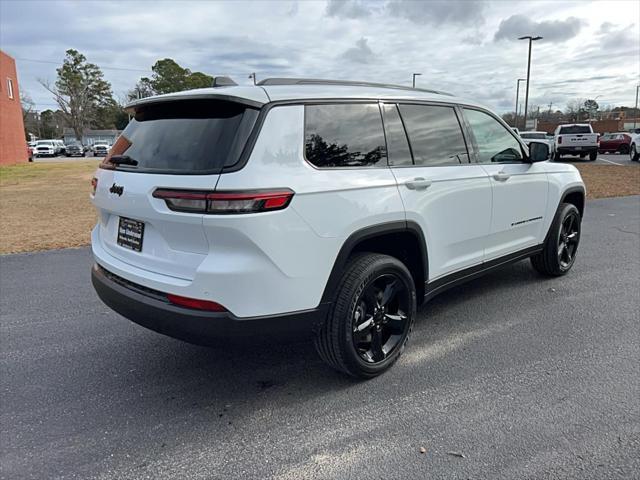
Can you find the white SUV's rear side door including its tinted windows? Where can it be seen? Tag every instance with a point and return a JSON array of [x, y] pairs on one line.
[[449, 197]]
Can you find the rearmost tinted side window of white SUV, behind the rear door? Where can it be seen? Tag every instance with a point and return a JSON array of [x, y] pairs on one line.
[[344, 135]]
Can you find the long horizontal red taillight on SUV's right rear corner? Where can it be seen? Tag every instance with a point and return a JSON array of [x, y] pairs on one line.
[[225, 202]]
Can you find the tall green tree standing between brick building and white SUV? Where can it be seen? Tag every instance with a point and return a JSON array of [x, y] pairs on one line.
[[80, 91]]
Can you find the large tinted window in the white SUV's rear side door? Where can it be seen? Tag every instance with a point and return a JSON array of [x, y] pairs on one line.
[[435, 135]]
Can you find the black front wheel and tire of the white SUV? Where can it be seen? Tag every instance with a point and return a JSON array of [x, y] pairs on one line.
[[561, 245]]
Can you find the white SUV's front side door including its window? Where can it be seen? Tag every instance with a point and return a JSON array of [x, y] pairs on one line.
[[519, 187]]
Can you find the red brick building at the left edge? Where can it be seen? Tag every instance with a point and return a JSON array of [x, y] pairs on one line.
[[13, 146]]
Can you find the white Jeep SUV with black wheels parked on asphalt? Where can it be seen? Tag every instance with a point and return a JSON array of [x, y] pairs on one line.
[[324, 208]]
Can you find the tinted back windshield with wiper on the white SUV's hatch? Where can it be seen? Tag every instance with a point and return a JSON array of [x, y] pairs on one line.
[[189, 136]]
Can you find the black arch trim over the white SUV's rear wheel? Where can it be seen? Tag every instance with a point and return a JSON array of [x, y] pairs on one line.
[[401, 239]]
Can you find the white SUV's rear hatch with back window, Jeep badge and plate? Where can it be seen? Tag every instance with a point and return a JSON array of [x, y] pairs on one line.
[[179, 145]]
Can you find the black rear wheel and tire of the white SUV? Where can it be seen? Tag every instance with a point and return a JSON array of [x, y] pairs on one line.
[[357, 332]]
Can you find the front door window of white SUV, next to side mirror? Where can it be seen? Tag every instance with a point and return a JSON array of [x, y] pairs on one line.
[[494, 142]]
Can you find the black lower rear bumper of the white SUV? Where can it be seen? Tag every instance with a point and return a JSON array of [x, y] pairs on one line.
[[149, 309]]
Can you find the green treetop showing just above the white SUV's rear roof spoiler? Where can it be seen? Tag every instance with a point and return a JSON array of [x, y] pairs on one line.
[[169, 77]]
